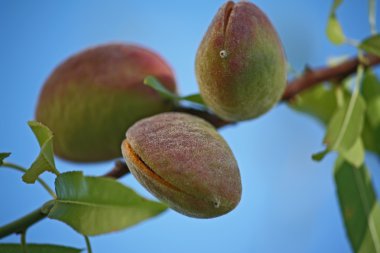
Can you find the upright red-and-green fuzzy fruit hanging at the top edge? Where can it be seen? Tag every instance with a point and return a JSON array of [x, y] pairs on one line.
[[240, 64]]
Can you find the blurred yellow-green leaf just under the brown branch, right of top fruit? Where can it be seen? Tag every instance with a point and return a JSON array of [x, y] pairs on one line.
[[318, 101]]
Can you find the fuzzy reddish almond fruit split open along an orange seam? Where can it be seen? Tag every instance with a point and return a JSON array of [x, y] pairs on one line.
[[183, 161]]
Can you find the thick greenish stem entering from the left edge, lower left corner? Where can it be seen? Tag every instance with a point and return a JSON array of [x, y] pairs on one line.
[[21, 224]]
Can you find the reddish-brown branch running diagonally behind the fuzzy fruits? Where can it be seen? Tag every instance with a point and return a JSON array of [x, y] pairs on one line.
[[309, 79]]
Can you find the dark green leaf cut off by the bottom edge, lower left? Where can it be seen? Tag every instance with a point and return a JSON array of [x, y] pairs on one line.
[[37, 248]]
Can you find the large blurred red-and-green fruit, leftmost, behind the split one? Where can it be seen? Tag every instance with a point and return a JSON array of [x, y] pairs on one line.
[[93, 97]]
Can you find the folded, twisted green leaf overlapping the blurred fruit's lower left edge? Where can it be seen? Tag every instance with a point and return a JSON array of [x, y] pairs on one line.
[[45, 160]]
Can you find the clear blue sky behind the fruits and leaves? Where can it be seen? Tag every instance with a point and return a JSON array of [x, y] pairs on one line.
[[289, 202]]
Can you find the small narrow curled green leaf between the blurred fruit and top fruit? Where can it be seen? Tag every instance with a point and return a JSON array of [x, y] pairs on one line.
[[154, 83]]
